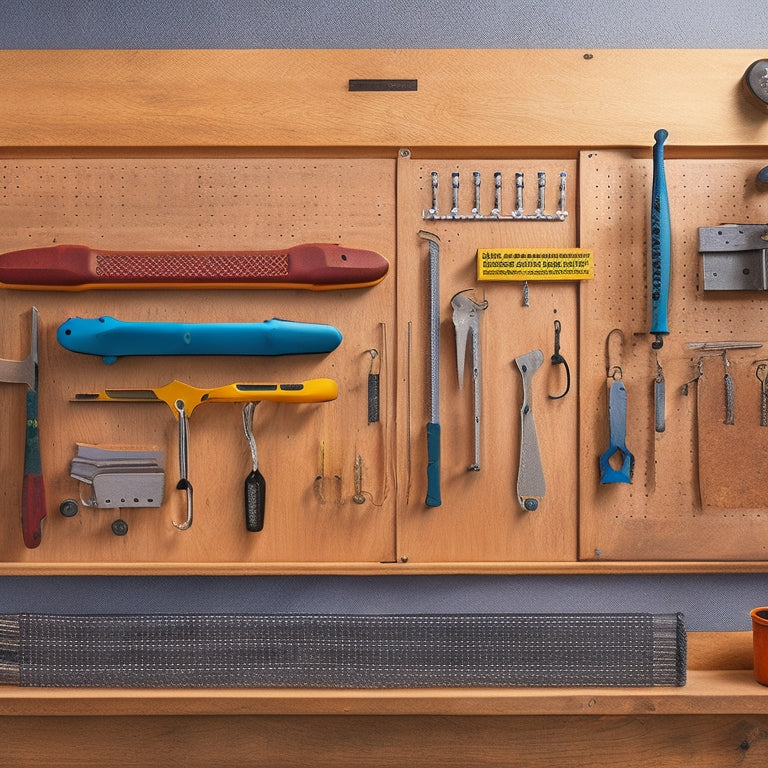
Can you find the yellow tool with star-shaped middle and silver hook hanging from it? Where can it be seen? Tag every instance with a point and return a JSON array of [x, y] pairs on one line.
[[182, 399]]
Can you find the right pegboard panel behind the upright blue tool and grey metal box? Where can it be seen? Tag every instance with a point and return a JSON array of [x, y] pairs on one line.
[[662, 514]]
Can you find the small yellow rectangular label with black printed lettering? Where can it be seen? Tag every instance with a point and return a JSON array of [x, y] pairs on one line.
[[534, 264]]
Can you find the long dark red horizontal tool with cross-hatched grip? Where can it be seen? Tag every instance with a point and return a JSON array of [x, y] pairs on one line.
[[316, 266]]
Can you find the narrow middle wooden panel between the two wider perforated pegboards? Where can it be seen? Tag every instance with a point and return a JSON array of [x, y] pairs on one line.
[[480, 519]]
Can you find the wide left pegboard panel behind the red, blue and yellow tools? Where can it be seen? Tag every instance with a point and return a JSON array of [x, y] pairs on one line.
[[329, 472]]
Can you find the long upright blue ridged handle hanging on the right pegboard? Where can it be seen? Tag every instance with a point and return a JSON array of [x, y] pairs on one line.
[[660, 239]]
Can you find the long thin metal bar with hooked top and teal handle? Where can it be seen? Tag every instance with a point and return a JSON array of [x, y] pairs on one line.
[[433, 427]]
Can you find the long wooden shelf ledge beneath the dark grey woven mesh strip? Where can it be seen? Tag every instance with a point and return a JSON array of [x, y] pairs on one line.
[[706, 692]]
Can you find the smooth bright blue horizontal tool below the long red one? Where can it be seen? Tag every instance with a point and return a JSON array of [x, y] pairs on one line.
[[113, 338]]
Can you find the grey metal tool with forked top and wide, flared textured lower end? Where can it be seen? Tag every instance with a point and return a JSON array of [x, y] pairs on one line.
[[531, 485]]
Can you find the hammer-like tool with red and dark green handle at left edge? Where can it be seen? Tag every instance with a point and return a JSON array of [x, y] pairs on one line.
[[33, 506]]
